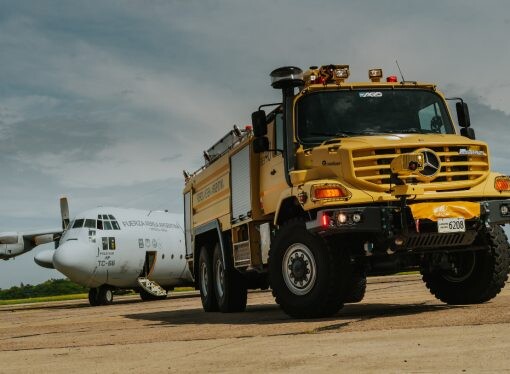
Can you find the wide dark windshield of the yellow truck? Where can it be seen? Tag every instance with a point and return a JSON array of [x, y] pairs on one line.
[[327, 114]]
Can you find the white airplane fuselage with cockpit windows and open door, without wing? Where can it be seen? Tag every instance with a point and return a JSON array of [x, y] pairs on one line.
[[114, 246]]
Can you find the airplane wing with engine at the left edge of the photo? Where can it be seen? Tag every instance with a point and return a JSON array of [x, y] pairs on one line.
[[13, 244]]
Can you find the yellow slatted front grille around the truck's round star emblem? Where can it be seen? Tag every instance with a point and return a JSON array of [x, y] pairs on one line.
[[371, 167]]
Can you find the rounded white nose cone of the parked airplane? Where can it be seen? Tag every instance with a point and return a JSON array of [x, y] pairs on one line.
[[73, 259]]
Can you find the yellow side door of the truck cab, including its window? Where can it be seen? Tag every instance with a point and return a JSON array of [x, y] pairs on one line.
[[272, 168]]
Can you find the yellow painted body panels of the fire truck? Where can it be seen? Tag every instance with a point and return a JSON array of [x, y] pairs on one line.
[[359, 164]]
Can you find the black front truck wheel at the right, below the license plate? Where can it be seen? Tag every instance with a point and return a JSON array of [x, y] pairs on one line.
[[473, 277]]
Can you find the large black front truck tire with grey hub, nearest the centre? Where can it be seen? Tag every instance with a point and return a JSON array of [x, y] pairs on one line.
[[307, 277]]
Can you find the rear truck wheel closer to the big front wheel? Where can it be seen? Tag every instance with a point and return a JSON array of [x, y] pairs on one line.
[[229, 285]]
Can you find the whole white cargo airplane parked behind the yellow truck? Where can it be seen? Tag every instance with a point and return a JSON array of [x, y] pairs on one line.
[[111, 248]]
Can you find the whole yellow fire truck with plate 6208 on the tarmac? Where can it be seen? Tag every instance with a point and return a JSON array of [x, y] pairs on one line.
[[341, 180]]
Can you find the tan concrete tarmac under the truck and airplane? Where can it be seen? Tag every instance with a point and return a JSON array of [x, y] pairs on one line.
[[398, 327]]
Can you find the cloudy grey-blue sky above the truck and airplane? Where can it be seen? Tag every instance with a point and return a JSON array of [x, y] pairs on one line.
[[106, 102]]
